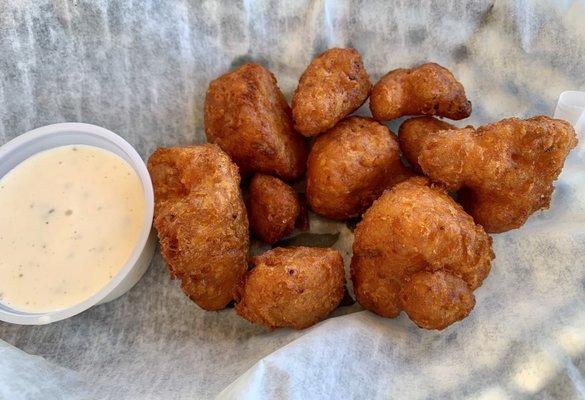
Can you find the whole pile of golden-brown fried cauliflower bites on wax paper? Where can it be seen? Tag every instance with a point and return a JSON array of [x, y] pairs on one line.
[[422, 244]]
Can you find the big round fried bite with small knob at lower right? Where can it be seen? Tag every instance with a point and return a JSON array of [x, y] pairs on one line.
[[417, 250]]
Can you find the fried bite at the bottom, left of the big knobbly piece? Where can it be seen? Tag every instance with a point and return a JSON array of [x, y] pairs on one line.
[[292, 287]]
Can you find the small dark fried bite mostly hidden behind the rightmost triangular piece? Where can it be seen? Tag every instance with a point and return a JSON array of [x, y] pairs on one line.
[[412, 131]]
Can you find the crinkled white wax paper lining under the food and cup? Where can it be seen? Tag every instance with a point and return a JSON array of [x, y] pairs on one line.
[[141, 68]]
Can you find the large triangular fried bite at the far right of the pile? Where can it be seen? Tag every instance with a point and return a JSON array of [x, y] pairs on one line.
[[504, 171]]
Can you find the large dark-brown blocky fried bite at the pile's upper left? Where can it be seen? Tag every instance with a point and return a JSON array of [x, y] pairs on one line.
[[247, 115]]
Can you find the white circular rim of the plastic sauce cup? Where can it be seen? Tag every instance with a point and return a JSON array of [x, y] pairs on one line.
[[136, 162]]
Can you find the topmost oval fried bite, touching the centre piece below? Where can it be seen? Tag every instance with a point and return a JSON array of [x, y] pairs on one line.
[[334, 85]]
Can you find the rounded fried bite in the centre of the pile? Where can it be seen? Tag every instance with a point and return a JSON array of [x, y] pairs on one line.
[[350, 166]]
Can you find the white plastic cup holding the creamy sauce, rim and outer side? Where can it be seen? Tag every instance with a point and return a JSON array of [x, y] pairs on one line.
[[51, 136]]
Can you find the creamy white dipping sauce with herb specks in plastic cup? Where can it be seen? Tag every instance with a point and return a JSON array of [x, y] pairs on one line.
[[69, 219]]
